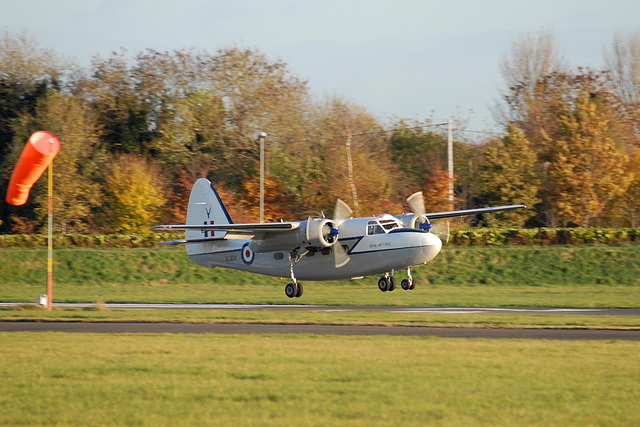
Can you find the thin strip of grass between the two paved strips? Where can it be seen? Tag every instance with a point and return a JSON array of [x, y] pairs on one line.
[[332, 317]]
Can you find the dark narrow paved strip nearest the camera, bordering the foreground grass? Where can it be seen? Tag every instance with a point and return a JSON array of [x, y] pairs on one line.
[[261, 329]]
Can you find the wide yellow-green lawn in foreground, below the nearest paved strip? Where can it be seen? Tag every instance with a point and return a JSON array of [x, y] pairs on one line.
[[145, 379]]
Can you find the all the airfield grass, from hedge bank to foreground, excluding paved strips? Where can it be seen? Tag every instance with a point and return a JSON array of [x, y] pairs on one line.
[[157, 379]]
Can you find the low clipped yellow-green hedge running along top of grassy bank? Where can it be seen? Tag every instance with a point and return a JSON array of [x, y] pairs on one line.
[[458, 237]]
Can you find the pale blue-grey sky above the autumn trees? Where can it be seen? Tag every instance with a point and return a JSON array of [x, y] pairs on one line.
[[399, 59]]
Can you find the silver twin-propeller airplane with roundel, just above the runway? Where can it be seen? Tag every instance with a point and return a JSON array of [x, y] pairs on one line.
[[338, 248]]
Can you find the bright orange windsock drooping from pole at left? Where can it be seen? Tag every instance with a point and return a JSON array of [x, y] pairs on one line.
[[36, 156]]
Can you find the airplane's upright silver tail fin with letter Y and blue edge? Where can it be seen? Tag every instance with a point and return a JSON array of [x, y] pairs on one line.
[[206, 208]]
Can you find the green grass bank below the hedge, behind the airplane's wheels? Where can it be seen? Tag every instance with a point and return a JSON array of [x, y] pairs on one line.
[[571, 276]]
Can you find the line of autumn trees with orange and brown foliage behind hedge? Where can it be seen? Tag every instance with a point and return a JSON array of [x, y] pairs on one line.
[[138, 129]]
